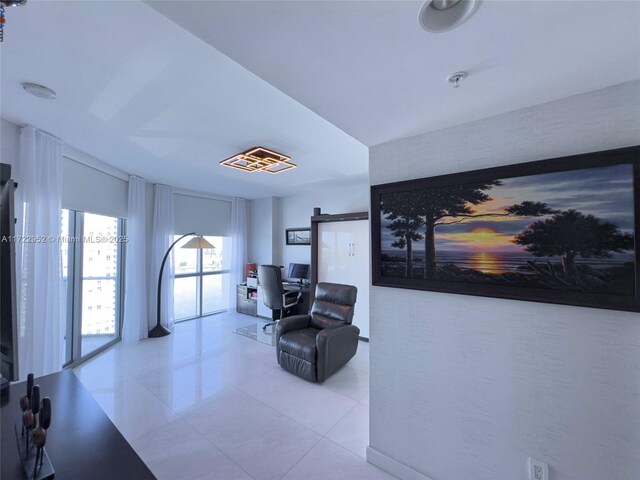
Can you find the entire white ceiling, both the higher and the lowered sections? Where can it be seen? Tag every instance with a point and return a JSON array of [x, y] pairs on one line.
[[167, 89]]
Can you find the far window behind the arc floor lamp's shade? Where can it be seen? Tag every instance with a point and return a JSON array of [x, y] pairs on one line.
[[201, 285]]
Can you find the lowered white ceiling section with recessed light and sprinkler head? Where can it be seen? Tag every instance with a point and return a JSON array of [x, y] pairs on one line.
[[368, 67]]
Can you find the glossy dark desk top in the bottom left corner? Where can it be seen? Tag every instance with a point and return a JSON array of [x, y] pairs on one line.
[[82, 443]]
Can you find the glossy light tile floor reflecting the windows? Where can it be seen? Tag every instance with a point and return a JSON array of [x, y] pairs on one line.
[[207, 403]]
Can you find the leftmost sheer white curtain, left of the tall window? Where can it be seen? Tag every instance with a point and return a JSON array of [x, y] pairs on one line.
[[40, 287]]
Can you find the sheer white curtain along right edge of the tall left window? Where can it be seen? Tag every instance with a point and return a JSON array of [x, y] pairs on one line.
[[134, 325]]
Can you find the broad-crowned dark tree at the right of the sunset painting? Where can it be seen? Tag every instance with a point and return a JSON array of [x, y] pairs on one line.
[[571, 233]]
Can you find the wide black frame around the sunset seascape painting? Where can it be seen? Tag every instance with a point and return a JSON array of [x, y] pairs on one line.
[[629, 155]]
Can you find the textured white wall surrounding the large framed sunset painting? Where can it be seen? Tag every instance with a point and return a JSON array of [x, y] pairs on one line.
[[468, 387]]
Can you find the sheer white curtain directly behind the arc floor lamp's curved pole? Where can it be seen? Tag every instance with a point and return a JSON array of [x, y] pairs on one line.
[[161, 240]]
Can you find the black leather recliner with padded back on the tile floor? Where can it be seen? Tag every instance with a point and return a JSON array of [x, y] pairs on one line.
[[317, 345]]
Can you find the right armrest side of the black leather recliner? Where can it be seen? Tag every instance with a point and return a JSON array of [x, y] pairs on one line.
[[336, 345]]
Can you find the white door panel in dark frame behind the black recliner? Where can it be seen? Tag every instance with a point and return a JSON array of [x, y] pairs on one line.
[[343, 257]]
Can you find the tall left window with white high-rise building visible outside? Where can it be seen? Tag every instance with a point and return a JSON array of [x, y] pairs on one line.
[[92, 268]]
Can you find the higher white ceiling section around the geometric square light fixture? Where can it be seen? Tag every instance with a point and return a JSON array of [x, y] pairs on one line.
[[141, 93]]
